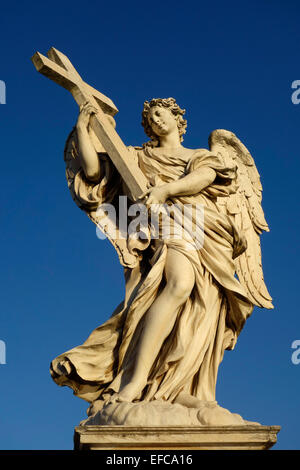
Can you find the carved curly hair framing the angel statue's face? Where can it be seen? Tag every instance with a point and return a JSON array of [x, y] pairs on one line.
[[169, 103]]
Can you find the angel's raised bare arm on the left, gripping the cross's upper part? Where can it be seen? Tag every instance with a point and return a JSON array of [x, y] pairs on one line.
[[88, 156]]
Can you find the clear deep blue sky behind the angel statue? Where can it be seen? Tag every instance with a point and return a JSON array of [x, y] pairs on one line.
[[230, 65]]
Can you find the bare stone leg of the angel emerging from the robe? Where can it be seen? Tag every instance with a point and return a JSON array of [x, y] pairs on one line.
[[159, 321]]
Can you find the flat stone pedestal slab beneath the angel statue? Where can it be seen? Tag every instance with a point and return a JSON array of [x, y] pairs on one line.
[[248, 437]]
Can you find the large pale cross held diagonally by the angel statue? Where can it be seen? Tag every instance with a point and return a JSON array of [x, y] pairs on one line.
[[59, 69]]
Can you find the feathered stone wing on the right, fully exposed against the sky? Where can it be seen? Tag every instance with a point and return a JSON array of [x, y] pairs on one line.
[[244, 207]]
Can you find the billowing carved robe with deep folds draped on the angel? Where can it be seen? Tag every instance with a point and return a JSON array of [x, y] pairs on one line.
[[207, 324]]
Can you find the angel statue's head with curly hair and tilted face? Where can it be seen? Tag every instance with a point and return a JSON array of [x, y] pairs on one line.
[[161, 116]]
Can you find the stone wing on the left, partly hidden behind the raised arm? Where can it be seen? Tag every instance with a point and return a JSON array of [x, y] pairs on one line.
[[71, 157]]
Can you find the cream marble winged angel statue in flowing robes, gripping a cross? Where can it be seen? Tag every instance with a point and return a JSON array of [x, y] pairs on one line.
[[182, 308]]
